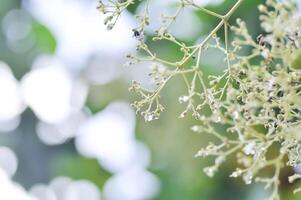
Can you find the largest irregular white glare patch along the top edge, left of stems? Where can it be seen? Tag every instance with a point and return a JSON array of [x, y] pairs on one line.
[[78, 27]]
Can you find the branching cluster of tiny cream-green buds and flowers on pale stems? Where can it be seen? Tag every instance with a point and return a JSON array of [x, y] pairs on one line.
[[257, 99]]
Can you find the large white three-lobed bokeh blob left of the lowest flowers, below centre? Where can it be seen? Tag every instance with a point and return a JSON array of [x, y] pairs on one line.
[[109, 136]]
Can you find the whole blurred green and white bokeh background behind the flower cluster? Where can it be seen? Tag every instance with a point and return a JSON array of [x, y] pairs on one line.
[[67, 131]]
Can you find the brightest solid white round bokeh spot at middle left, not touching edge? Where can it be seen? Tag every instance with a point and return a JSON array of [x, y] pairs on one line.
[[47, 91]]
